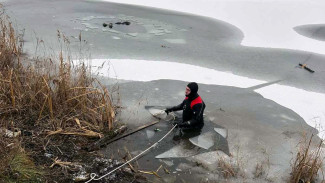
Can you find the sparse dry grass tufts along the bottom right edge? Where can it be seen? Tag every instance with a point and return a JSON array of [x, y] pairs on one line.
[[306, 166]]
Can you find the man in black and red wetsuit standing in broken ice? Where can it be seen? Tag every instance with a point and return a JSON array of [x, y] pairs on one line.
[[193, 108]]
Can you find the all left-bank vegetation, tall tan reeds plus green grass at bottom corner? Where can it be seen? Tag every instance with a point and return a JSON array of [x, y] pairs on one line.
[[42, 98]]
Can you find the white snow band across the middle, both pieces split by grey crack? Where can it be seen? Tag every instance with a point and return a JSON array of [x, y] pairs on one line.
[[309, 105]]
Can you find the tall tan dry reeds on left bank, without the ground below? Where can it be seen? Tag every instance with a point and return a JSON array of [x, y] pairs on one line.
[[69, 98]]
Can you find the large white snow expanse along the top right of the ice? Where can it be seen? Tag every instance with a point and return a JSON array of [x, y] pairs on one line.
[[265, 23]]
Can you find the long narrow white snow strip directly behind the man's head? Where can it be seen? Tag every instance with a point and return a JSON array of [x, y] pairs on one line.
[[143, 70]]
